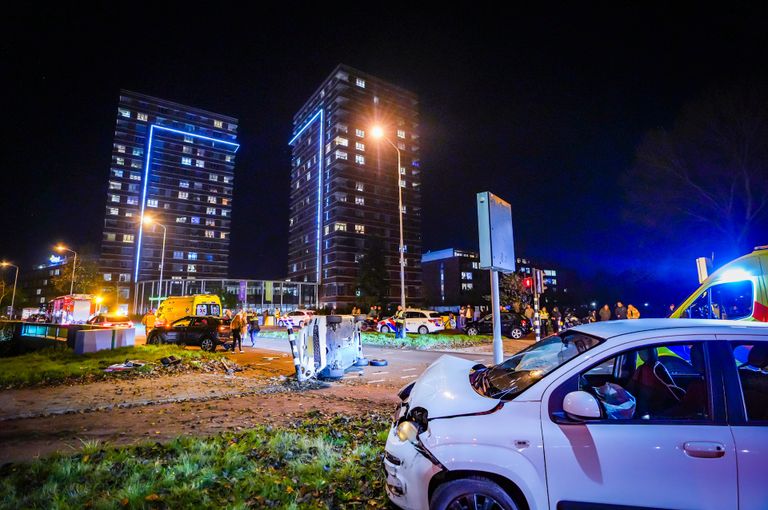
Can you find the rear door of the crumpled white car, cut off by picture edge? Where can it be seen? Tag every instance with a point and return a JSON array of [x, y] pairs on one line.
[[746, 376]]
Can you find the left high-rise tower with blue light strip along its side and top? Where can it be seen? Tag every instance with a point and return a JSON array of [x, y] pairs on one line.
[[175, 164]]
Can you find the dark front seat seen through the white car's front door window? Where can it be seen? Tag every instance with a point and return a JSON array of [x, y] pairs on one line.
[[653, 386]]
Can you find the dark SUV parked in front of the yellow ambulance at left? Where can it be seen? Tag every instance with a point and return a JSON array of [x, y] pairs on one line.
[[207, 332]]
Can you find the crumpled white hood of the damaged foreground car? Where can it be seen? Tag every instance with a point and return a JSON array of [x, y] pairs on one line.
[[444, 390]]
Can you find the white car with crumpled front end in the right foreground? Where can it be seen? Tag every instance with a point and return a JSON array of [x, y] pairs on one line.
[[632, 414]]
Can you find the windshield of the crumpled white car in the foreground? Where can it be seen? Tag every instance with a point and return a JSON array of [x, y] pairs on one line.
[[518, 373]]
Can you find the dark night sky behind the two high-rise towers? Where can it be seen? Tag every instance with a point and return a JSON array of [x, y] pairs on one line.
[[542, 108]]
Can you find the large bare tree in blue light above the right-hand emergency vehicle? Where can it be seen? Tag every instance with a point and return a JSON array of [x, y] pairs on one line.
[[709, 173]]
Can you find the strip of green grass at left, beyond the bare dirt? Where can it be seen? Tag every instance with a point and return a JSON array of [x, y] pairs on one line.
[[57, 365]]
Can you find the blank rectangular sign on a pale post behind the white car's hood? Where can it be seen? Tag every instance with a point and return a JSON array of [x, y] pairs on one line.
[[497, 253]]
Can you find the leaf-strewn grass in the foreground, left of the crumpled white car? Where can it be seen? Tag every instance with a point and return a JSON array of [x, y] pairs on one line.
[[317, 462]]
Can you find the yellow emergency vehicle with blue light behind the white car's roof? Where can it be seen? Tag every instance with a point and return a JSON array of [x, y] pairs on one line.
[[738, 291]]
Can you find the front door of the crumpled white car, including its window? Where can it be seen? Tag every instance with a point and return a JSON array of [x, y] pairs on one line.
[[667, 449]]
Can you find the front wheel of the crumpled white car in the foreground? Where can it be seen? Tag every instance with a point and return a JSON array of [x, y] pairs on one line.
[[474, 492]]
